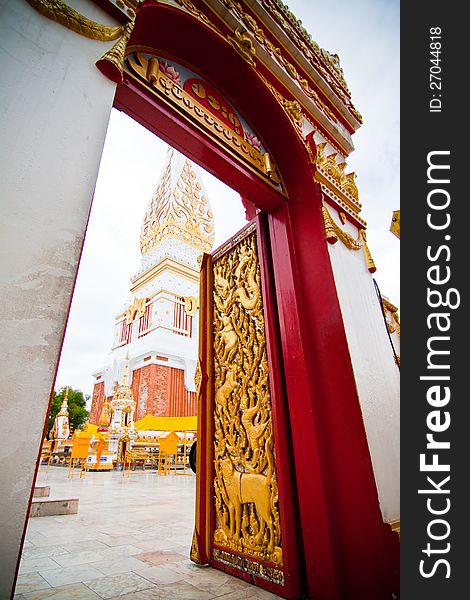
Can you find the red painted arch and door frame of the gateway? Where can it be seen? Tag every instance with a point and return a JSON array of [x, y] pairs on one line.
[[346, 550]]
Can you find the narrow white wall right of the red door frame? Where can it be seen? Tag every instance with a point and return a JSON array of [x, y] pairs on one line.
[[377, 375]]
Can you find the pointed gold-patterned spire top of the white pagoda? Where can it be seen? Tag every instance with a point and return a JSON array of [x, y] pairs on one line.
[[179, 208]]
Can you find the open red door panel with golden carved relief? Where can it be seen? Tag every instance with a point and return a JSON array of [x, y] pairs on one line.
[[245, 512]]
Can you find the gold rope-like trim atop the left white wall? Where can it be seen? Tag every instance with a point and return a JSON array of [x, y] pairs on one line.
[[58, 11]]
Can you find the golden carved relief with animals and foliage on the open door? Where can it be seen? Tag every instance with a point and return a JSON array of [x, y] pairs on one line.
[[245, 483]]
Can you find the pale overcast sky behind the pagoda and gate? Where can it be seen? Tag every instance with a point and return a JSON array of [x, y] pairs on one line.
[[365, 34]]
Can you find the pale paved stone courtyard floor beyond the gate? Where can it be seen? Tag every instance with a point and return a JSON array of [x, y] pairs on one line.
[[130, 540]]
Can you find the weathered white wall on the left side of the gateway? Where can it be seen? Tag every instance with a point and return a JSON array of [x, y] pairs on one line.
[[54, 110]]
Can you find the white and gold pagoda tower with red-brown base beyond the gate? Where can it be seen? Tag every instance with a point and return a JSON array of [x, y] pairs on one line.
[[158, 326]]
